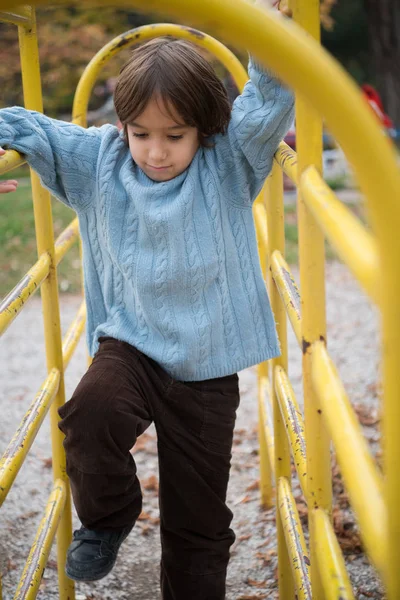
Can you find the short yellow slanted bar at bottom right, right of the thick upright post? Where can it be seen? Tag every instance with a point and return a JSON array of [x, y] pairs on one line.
[[332, 568]]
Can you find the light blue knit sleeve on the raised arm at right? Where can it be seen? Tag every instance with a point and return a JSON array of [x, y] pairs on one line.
[[261, 116]]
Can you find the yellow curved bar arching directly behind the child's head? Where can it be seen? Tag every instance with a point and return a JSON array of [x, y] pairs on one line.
[[139, 35]]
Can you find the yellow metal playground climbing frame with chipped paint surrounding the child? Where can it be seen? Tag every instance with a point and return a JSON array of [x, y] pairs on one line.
[[323, 90]]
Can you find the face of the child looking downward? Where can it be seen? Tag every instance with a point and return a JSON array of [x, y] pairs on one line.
[[160, 143]]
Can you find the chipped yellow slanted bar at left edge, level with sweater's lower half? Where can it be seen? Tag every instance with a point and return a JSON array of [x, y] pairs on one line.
[[14, 302]]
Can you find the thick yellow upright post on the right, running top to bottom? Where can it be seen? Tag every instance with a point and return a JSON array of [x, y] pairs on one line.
[[312, 285]]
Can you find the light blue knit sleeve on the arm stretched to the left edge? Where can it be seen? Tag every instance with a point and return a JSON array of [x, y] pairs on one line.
[[64, 155]]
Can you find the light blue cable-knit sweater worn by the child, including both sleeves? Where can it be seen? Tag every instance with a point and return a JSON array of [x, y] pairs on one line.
[[172, 268]]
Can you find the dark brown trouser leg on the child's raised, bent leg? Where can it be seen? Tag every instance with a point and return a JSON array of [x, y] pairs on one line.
[[101, 422]]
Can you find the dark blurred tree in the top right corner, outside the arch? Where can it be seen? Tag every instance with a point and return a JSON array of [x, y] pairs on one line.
[[365, 36]]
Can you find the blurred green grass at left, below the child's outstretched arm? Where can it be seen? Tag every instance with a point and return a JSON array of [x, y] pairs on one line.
[[18, 243]]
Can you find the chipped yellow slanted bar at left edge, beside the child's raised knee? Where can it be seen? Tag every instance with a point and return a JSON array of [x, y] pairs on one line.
[[18, 448]]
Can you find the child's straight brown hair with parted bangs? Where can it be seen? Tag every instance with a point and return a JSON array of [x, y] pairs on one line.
[[173, 70]]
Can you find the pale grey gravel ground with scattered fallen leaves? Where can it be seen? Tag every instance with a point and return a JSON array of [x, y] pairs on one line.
[[353, 343]]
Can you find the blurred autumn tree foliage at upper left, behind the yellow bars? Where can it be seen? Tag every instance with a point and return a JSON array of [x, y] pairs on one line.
[[68, 39]]
